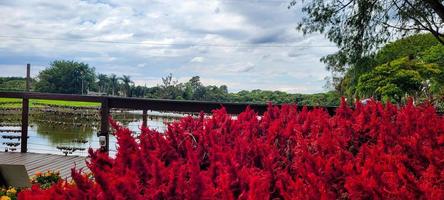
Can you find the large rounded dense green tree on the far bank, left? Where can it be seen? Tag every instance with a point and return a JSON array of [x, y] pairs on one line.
[[66, 77]]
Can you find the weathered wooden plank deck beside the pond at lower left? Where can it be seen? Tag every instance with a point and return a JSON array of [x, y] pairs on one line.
[[35, 162]]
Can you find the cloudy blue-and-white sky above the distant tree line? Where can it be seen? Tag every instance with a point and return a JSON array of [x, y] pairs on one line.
[[244, 44]]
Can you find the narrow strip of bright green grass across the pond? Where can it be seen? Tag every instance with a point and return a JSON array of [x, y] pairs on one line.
[[16, 103]]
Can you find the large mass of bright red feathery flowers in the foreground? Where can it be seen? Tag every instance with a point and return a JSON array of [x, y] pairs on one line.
[[371, 152]]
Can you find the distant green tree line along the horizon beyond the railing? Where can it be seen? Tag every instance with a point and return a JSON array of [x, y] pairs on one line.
[[71, 77]]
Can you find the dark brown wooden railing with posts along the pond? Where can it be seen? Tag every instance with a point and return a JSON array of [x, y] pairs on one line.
[[108, 102]]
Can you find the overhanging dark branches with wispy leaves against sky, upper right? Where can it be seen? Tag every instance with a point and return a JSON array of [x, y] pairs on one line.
[[359, 27]]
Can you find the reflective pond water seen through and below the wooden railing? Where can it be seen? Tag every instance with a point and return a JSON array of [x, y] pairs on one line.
[[61, 132]]
